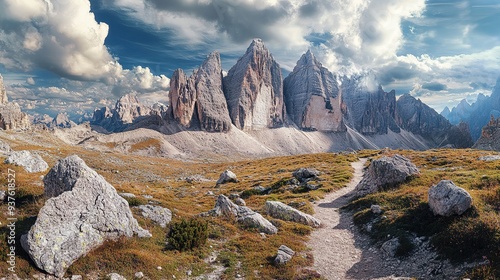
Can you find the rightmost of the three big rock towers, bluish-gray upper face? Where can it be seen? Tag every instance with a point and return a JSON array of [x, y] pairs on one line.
[[313, 97]]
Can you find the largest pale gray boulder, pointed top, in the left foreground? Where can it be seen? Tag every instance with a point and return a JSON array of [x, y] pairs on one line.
[[84, 211]]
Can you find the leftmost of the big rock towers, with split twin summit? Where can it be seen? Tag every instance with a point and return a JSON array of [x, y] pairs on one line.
[[199, 99]]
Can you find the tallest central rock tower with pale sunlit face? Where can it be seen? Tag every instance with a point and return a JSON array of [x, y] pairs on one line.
[[254, 90]]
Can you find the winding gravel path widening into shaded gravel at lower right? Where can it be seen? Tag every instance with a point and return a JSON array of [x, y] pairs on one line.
[[341, 252]]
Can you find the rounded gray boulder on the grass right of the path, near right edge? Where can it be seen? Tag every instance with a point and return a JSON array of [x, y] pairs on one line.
[[446, 199]]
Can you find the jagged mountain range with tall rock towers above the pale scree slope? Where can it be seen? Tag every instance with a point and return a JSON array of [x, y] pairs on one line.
[[253, 96]]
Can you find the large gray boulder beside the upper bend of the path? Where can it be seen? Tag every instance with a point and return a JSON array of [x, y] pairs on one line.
[[386, 172]]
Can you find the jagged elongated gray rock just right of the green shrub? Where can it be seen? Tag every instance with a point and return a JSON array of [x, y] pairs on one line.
[[243, 215]]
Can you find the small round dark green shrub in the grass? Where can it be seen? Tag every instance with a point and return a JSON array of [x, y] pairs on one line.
[[187, 234]]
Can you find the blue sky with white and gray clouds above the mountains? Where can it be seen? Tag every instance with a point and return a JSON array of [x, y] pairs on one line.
[[75, 56]]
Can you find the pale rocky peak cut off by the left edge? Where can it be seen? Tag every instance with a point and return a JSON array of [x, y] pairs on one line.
[[11, 116]]
